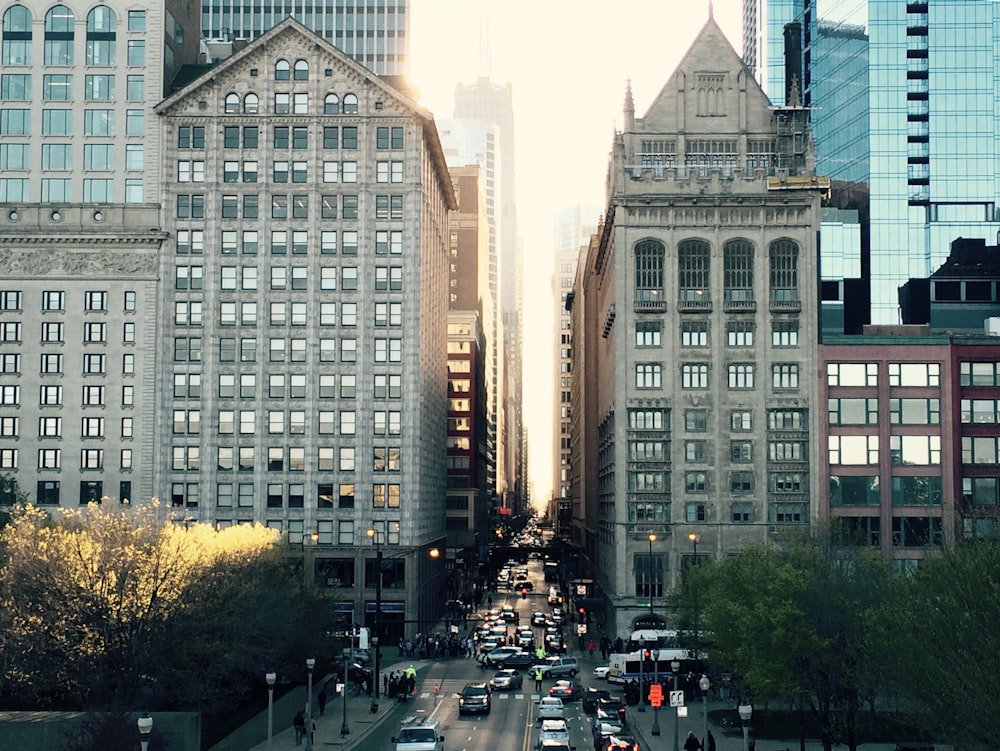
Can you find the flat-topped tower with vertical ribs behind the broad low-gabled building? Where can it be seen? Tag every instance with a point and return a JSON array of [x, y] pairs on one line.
[[374, 34]]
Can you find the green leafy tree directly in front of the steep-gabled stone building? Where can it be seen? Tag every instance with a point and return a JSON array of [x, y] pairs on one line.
[[798, 624]]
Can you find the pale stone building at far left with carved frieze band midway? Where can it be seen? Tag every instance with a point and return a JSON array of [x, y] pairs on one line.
[[80, 235]]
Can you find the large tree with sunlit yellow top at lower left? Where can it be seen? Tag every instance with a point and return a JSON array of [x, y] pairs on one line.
[[110, 601]]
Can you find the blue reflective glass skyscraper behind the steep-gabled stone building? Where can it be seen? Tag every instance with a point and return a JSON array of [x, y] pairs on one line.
[[912, 111]]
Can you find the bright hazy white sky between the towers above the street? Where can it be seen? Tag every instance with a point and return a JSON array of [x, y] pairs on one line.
[[568, 62]]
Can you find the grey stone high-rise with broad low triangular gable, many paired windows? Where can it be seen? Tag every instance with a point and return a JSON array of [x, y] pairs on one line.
[[303, 362]]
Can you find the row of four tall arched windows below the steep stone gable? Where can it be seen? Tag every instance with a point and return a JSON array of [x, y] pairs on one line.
[[694, 271]]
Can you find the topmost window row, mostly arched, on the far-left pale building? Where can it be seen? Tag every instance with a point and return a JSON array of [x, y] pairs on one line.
[[59, 36]]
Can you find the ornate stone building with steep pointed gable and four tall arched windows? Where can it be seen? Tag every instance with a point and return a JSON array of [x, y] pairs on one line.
[[700, 333]]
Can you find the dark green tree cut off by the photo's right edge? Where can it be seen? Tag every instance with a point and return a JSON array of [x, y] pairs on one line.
[[949, 645]]
